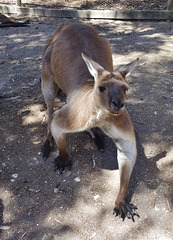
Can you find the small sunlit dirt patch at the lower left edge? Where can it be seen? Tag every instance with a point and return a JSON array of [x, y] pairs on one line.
[[7, 198]]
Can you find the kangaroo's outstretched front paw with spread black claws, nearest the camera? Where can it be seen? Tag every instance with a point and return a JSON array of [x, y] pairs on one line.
[[124, 210]]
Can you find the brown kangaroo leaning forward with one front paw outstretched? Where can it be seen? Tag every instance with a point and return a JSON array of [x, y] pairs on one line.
[[79, 62]]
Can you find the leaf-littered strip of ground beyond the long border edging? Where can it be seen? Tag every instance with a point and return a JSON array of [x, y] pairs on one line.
[[94, 4]]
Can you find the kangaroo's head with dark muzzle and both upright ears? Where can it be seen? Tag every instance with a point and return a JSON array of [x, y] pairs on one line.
[[110, 88]]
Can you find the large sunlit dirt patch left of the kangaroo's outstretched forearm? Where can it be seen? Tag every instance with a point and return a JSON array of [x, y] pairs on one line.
[[88, 203]]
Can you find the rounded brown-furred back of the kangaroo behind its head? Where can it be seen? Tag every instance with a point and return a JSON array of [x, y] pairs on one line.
[[64, 50]]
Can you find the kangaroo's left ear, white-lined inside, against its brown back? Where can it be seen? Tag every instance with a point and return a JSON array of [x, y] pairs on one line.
[[94, 68]]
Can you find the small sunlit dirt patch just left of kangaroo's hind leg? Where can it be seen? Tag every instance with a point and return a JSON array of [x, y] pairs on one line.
[[35, 115]]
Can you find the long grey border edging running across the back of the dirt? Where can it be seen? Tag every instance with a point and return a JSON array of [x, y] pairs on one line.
[[89, 14]]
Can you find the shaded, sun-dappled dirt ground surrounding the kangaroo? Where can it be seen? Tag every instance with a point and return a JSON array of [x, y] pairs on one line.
[[37, 203]]
